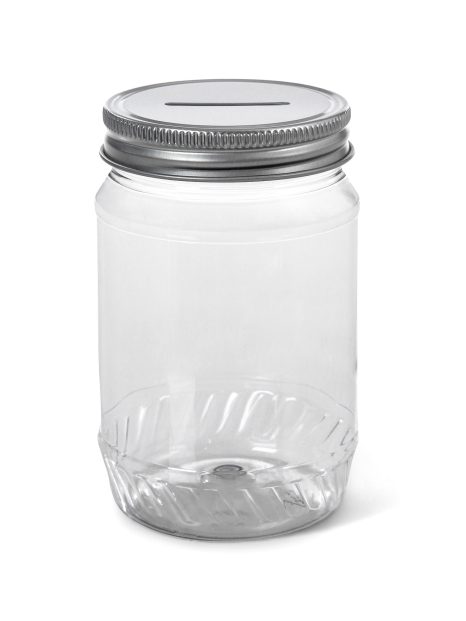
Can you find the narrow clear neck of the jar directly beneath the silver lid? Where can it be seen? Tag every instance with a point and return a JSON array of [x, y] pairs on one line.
[[215, 190]]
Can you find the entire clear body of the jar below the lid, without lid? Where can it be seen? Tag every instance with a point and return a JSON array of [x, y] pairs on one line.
[[227, 350]]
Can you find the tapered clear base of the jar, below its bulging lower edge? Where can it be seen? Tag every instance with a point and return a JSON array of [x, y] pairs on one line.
[[230, 511]]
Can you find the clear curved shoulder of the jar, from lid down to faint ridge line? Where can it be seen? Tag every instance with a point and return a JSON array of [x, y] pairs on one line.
[[265, 211]]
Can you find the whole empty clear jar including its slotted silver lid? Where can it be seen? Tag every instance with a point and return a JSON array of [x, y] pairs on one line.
[[227, 299]]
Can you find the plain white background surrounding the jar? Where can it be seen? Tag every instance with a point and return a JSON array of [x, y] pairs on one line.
[[396, 548]]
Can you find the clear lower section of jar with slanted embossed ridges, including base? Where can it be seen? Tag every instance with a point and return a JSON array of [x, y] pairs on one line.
[[228, 459]]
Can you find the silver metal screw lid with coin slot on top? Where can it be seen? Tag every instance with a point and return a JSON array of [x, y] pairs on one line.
[[226, 130]]
